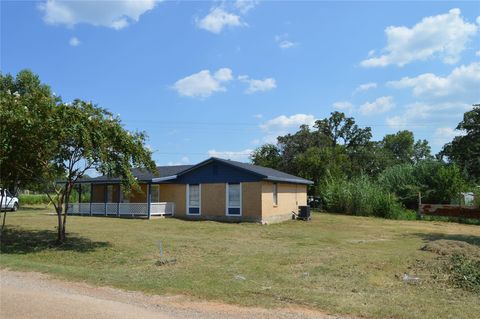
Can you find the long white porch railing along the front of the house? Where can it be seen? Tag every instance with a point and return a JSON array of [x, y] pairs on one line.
[[122, 209]]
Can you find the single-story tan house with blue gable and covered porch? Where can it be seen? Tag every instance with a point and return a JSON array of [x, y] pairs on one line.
[[215, 189]]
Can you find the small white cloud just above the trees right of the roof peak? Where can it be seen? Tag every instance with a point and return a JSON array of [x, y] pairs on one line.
[[283, 124]]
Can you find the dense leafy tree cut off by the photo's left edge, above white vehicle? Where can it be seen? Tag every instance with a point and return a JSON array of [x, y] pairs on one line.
[[27, 136]]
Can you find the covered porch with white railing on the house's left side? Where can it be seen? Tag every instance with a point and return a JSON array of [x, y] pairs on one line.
[[109, 199]]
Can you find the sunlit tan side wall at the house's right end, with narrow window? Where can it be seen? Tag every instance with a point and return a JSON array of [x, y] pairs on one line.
[[290, 196]]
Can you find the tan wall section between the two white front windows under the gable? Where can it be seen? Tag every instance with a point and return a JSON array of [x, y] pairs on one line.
[[213, 199]]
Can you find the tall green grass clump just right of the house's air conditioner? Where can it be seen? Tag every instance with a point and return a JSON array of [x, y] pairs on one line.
[[362, 197]]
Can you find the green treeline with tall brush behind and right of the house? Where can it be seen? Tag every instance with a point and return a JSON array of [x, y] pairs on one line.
[[355, 175]]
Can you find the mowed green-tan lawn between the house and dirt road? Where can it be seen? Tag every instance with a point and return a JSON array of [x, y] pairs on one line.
[[339, 264]]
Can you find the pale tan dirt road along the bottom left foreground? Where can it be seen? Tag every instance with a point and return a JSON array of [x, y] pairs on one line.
[[33, 295]]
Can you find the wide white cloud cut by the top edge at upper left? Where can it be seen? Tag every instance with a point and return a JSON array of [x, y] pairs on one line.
[[113, 14]]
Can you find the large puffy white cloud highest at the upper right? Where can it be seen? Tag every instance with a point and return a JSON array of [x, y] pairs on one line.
[[444, 35]]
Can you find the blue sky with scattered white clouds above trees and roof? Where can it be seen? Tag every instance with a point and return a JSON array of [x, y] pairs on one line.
[[221, 78]]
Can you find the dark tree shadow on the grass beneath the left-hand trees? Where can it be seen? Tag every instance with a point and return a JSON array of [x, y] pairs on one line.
[[25, 241]]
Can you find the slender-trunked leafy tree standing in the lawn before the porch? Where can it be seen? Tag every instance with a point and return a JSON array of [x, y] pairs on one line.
[[90, 137]]
